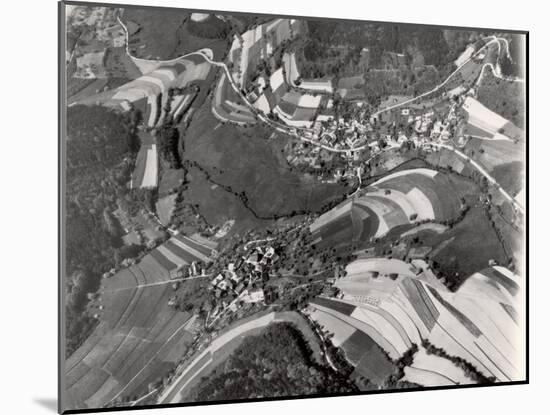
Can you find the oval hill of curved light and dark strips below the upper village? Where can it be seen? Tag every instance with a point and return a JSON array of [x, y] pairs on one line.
[[402, 198]]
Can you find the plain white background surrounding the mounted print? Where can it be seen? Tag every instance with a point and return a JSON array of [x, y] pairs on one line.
[[28, 238]]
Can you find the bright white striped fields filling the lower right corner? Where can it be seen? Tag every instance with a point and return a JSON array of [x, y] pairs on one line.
[[391, 314]]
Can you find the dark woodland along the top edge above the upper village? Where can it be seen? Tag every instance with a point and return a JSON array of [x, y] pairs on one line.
[[337, 49]]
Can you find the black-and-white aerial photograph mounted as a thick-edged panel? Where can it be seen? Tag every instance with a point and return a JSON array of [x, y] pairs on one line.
[[260, 206]]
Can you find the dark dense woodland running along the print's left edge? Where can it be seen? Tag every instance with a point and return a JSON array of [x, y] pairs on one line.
[[100, 145]]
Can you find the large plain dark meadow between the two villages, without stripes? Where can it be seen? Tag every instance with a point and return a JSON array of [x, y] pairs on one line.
[[263, 176]]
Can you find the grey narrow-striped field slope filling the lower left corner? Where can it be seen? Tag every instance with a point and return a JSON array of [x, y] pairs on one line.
[[139, 333]]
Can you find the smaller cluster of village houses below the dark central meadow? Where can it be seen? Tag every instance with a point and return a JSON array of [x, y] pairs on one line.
[[238, 280]]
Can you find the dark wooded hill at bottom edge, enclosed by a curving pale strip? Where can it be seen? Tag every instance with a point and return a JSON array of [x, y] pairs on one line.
[[277, 362]]
